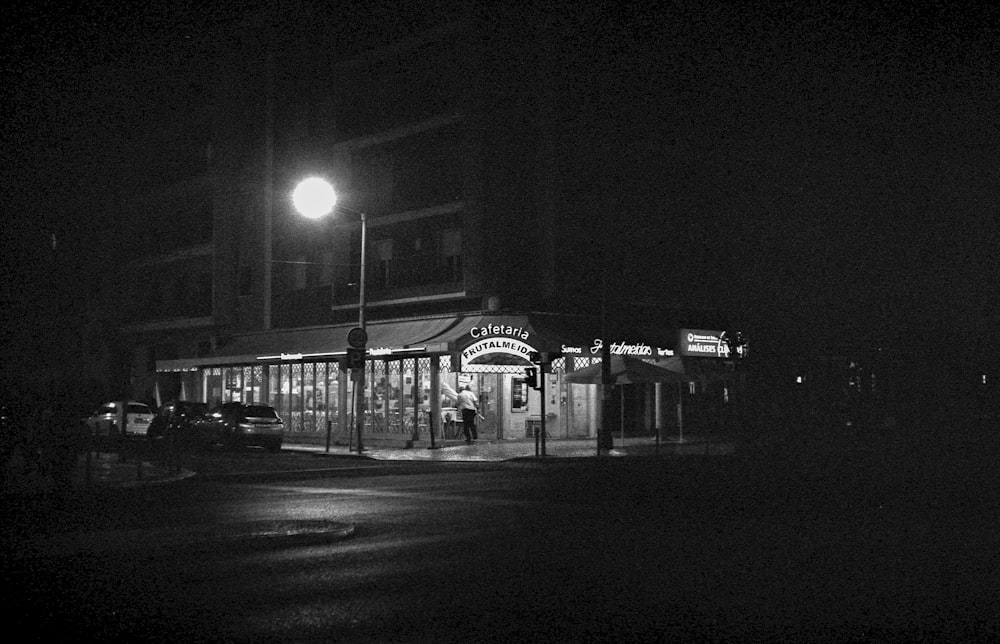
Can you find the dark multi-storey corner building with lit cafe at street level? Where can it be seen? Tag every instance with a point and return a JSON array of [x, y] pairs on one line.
[[477, 253]]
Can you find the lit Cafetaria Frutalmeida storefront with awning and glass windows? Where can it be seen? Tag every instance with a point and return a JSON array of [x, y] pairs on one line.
[[415, 367]]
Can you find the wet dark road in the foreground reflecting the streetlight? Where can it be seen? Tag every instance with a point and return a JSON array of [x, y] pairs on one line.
[[850, 546]]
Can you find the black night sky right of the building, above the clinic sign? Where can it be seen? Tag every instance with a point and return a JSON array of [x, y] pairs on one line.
[[838, 166]]
